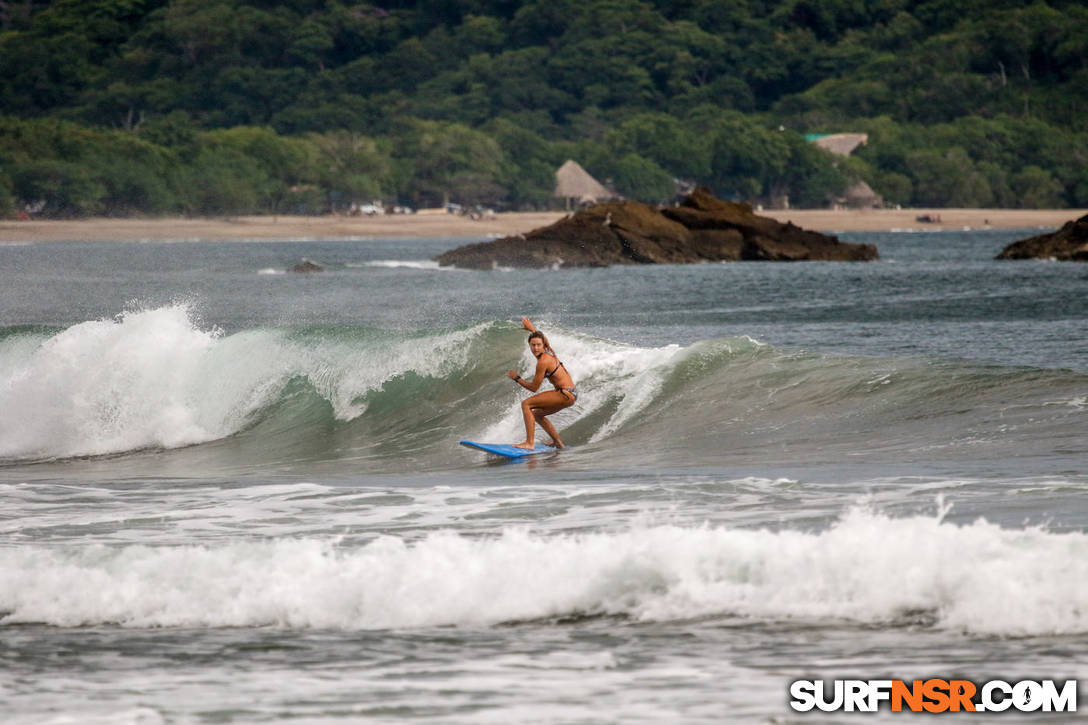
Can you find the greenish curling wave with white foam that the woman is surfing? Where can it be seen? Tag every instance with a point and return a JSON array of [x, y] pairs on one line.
[[157, 379]]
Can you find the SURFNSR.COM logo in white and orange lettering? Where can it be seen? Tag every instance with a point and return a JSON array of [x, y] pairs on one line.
[[934, 696]]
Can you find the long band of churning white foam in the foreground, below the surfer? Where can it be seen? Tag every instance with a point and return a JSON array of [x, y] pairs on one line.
[[869, 569]]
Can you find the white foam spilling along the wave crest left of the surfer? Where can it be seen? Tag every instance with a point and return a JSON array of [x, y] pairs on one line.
[[155, 379]]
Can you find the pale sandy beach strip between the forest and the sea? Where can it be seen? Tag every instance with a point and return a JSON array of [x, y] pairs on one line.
[[332, 228]]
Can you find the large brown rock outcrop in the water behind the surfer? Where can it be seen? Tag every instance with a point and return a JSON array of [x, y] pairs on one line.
[[702, 229]]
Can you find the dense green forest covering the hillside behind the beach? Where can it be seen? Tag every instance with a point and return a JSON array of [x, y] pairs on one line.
[[122, 107]]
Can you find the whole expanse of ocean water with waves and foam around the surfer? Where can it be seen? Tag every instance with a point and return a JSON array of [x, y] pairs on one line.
[[233, 495]]
